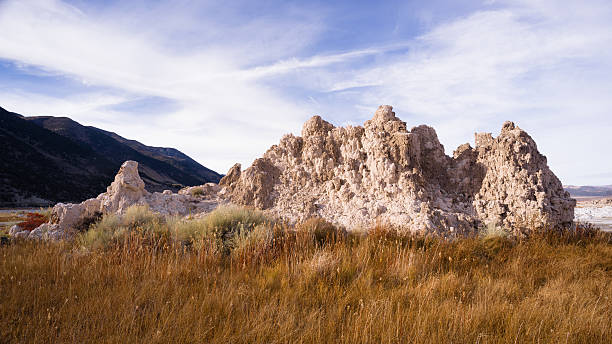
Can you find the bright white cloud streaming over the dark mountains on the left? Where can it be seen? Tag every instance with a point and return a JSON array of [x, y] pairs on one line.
[[209, 85]]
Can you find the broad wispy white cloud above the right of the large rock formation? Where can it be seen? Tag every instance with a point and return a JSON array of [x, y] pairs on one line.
[[545, 66]]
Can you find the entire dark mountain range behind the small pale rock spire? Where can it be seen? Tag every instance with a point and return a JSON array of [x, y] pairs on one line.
[[51, 159]]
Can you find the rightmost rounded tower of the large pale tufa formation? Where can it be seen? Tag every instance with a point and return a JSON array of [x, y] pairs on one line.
[[518, 189]]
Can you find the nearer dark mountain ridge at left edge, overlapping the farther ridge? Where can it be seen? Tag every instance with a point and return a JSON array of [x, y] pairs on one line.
[[38, 167]]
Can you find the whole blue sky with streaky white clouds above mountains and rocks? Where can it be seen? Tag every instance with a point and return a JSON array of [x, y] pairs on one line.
[[223, 80]]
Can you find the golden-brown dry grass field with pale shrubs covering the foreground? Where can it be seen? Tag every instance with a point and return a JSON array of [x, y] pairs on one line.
[[168, 281]]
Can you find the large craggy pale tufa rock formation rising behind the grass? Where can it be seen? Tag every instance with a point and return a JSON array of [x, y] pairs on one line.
[[384, 173]]
